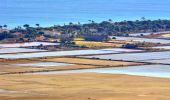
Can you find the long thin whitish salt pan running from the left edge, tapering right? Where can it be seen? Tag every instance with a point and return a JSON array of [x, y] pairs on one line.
[[66, 53]]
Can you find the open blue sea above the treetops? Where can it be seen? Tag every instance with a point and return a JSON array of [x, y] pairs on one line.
[[50, 12]]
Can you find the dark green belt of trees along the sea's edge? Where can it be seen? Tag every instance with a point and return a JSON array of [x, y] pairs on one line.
[[104, 28]]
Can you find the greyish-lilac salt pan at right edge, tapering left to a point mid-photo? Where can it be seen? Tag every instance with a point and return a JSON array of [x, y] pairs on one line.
[[134, 56]]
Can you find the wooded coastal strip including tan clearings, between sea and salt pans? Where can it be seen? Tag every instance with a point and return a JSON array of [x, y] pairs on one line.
[[90, 31]]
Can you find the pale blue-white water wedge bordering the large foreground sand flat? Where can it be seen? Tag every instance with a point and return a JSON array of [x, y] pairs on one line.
[[162, 71]]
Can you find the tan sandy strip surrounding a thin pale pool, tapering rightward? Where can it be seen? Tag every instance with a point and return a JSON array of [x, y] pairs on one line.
[[7, 66]]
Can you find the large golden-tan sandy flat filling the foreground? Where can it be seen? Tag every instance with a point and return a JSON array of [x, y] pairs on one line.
[[87, 86]]
